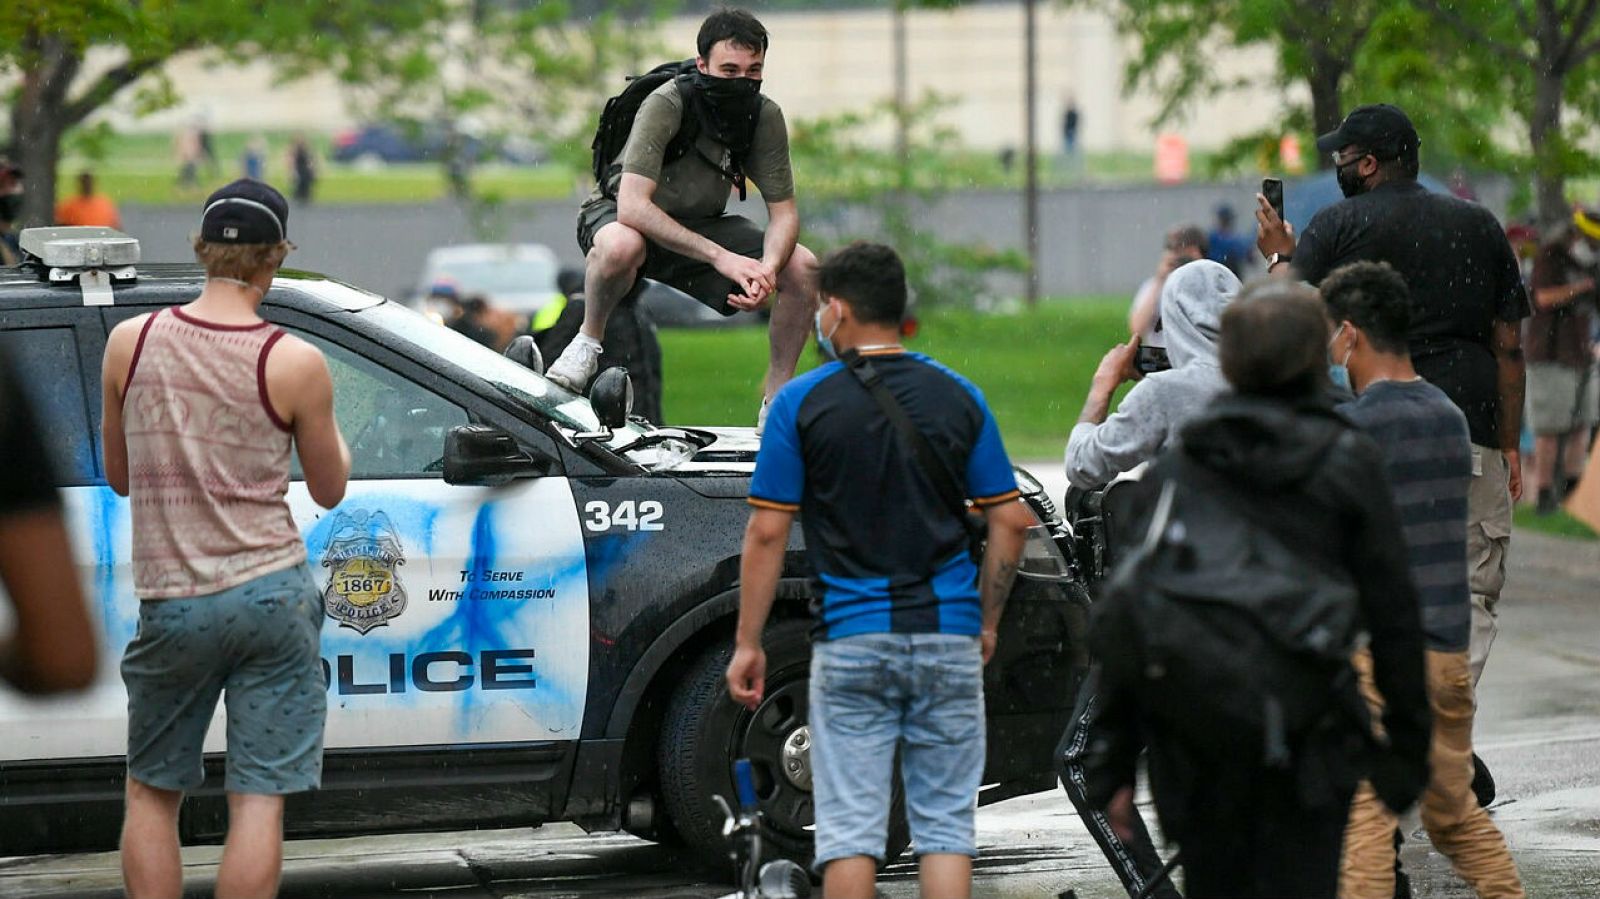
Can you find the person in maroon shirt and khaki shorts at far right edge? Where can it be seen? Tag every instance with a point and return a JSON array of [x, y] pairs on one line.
[[1562, 391]]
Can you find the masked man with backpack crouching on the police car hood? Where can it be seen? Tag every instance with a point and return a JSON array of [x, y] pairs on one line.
[[666, 156]]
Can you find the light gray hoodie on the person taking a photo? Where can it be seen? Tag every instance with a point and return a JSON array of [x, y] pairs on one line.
[[1161, 406]]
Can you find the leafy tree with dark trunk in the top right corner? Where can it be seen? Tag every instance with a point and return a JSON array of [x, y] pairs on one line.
[[1546, 55]]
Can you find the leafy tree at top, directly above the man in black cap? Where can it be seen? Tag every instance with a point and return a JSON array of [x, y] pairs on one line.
[[1316, 42]]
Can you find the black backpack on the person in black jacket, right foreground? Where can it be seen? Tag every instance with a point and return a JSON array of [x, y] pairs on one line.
[[1226, 634]]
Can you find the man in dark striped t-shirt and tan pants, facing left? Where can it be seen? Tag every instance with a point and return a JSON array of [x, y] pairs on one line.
[[1430, 461]]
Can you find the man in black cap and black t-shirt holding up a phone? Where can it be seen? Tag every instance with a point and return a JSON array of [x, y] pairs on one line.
[[1468, 303]]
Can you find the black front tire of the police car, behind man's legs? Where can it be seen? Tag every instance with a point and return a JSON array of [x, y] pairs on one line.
[[705, 733]]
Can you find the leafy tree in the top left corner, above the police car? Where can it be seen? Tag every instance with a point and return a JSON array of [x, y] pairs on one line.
[[46, 42]]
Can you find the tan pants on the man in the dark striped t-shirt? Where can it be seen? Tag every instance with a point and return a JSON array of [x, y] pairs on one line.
[[1455, 823]]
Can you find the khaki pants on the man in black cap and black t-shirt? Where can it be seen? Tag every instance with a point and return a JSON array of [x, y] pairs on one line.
[[1489, 538]]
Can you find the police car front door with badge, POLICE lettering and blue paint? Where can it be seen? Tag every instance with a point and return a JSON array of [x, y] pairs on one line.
[[457, 615]]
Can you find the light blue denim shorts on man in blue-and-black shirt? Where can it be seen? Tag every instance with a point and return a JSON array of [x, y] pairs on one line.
[[874, 693]]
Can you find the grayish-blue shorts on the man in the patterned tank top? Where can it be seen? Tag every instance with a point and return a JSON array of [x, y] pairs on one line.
[[255, 644]]
